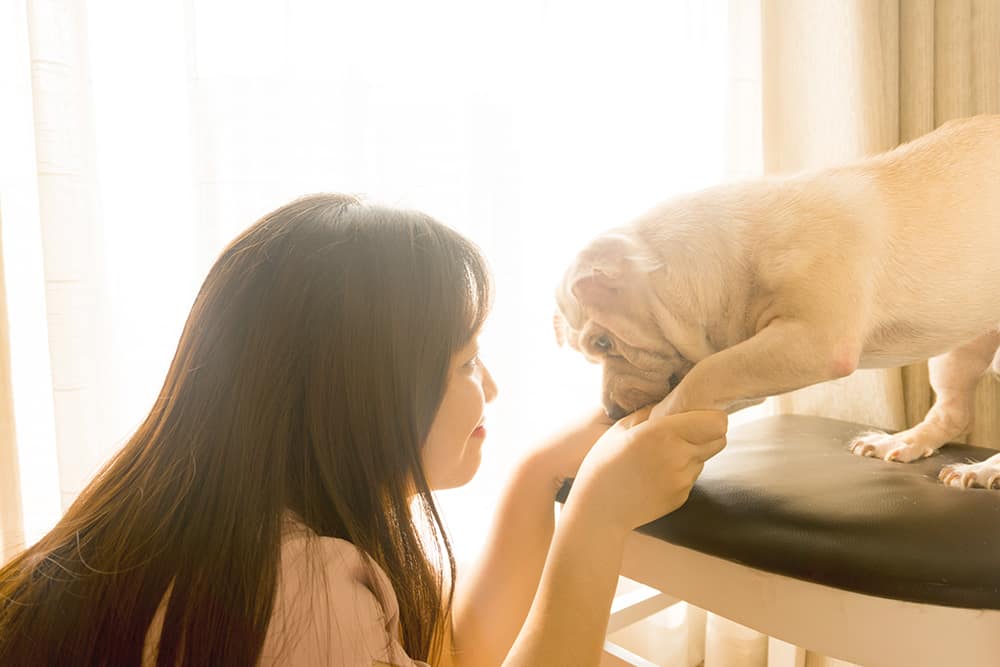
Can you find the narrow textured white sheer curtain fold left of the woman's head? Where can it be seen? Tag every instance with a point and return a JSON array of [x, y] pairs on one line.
[[71, 239]]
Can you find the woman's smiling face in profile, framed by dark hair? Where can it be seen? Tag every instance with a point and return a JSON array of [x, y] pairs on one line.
[[453, 449]]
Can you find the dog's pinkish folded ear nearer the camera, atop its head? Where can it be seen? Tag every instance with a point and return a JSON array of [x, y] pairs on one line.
[[604, 267]]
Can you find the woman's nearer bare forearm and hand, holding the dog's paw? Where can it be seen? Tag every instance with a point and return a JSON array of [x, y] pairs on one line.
[[640, 469]]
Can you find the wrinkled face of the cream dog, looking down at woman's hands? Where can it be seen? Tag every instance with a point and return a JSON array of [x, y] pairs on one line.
[[606, 305]]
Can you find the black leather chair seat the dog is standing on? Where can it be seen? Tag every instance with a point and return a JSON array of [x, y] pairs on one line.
[[786, 496]]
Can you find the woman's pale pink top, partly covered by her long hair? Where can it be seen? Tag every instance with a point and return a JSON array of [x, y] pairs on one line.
[[329, 609]]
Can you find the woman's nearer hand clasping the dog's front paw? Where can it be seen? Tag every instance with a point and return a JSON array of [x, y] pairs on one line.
[[643, 468]]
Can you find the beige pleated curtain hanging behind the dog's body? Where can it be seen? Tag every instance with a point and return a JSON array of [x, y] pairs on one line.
[[840, 79]]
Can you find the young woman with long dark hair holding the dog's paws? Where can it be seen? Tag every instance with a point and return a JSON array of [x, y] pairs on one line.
[[275, 507]]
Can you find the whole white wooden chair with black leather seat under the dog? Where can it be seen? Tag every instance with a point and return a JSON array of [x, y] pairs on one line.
[[856, 558]]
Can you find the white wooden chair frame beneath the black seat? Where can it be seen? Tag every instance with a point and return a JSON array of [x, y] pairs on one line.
[[799, 615]]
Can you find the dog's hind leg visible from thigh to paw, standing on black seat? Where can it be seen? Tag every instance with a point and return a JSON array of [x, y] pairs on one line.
[[954, 376]]
